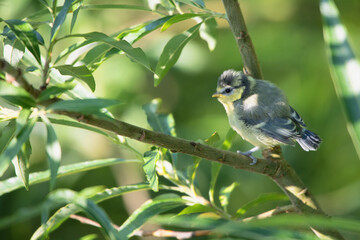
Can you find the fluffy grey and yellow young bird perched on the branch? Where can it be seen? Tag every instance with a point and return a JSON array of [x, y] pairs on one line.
[[259, 112]]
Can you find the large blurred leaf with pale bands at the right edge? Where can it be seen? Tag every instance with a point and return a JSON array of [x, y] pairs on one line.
[[344, 66]]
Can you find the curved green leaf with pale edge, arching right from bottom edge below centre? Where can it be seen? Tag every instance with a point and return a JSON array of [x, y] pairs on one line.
[[148, 210]]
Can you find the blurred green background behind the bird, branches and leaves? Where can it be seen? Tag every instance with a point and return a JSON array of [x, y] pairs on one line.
[[287, 35]]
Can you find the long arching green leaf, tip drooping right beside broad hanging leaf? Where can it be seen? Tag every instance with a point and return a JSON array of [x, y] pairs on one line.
[[135, 54]]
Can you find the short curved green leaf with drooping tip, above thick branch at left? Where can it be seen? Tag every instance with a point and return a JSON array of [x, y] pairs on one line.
[[79, 72]]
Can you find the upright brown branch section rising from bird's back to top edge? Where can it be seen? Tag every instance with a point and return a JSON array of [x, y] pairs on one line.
[[243, 40]]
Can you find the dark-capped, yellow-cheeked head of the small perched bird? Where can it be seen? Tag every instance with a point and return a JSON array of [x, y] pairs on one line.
[[233, 85]]
